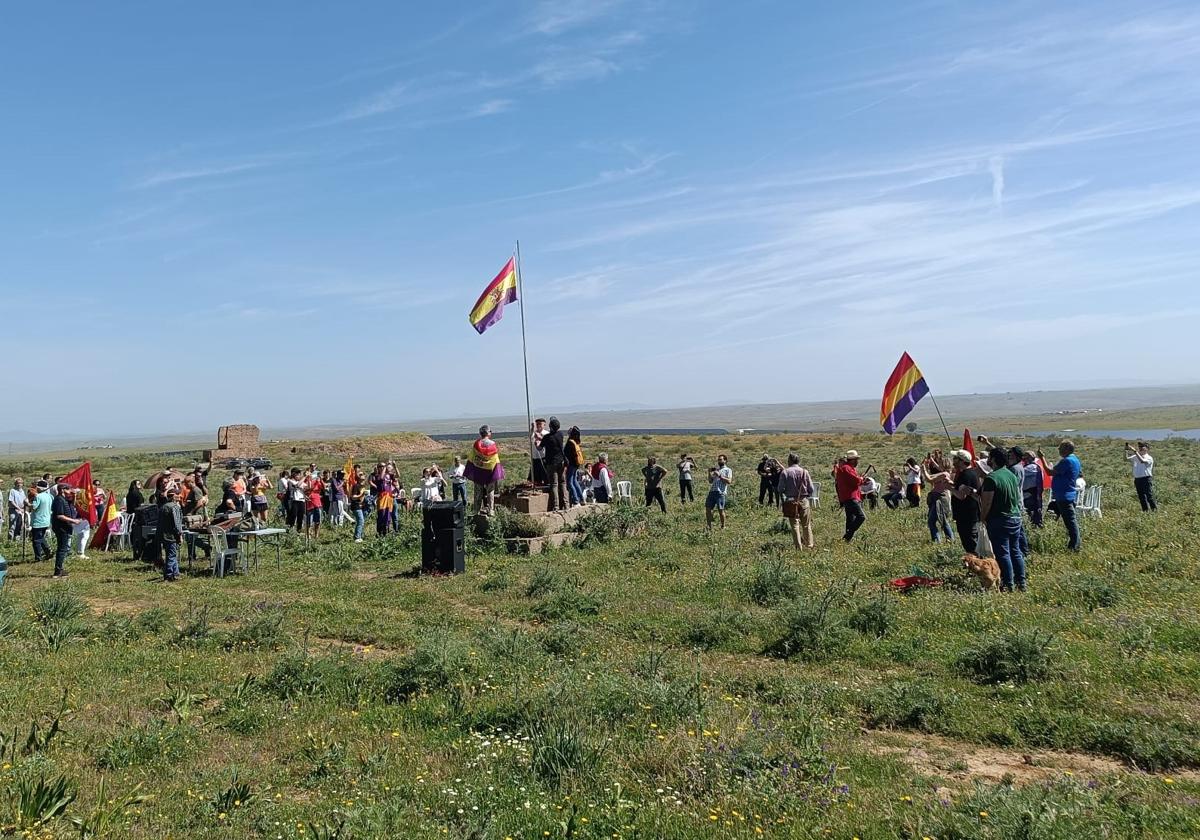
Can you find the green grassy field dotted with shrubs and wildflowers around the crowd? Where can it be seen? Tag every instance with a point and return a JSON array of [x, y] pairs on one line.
[[668, 685]]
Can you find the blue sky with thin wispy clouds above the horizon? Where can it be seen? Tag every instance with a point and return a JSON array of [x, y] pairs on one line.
[[757, 201]]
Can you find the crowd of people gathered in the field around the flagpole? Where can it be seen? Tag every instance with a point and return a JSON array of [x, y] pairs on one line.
[[982, 502]]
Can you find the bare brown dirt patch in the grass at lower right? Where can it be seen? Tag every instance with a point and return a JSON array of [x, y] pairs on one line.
[[963, 764]]
